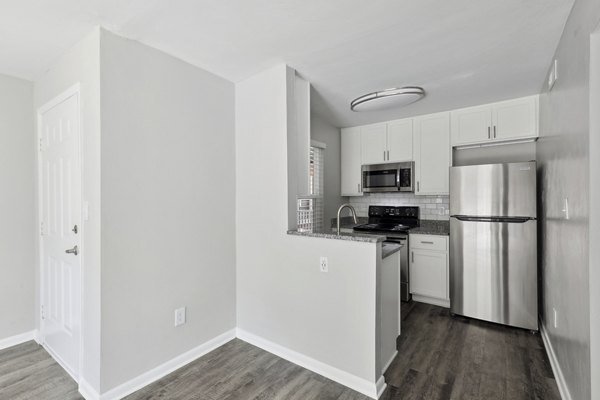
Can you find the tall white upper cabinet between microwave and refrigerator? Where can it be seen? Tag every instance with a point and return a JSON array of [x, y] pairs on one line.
[[432, 154]]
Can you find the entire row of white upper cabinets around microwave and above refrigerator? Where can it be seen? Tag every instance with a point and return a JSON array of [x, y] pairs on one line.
[[428, 140]]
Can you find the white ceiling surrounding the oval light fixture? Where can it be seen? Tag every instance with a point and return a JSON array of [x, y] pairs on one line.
[[463, 52]]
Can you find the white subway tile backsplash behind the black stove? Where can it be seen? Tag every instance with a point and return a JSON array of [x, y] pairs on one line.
[[430, 207]]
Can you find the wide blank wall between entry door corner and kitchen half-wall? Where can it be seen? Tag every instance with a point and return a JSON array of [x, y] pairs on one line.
[[168, 207]]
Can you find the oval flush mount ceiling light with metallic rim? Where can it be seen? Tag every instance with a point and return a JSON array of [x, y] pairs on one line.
[[389, 98]]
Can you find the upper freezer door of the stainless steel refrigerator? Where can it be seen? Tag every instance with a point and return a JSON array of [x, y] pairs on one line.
[[494, 190]]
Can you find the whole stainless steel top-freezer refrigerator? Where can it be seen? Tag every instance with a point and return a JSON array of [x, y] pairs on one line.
[[493, 236]]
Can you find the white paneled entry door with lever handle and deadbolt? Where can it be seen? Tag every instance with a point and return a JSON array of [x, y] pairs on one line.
[[61, 231]]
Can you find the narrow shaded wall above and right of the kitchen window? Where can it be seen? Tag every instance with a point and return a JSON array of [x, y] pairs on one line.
[[324, 132]]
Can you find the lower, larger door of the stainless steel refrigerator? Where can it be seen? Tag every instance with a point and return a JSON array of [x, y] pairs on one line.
[[493, 271]]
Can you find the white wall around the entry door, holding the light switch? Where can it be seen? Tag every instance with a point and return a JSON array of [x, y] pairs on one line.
[[81, 64]]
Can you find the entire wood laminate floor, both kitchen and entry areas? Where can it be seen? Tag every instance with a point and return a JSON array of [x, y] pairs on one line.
[[440, 358]]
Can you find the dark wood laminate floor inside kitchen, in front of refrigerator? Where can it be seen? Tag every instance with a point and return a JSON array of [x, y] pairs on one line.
[[443, 357]]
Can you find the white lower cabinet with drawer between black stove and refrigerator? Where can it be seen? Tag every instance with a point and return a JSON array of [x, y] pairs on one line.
[[429, 269]]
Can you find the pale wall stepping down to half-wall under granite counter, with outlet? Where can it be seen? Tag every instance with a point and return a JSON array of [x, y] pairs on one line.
[[281, 295]]
